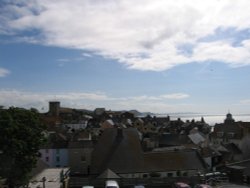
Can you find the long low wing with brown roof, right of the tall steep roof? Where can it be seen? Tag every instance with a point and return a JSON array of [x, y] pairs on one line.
[[173, 163]]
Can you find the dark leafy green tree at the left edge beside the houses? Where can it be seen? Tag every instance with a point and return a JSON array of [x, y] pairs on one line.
[[21, 136]]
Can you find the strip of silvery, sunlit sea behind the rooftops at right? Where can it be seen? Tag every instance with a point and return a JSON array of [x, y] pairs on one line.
[[209, 119]]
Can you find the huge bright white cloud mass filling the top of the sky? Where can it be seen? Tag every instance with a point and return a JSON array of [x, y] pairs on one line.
[[142, 34]]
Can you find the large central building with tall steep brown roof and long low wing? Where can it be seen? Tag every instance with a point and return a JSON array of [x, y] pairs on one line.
[[124, 156]]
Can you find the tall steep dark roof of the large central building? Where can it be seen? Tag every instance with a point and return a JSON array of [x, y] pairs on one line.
[[119, 150]]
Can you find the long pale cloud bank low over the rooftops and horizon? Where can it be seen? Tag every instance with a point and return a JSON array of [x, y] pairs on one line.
[[91, 101]]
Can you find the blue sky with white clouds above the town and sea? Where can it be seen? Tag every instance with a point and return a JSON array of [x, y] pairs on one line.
[[154, 56]]
